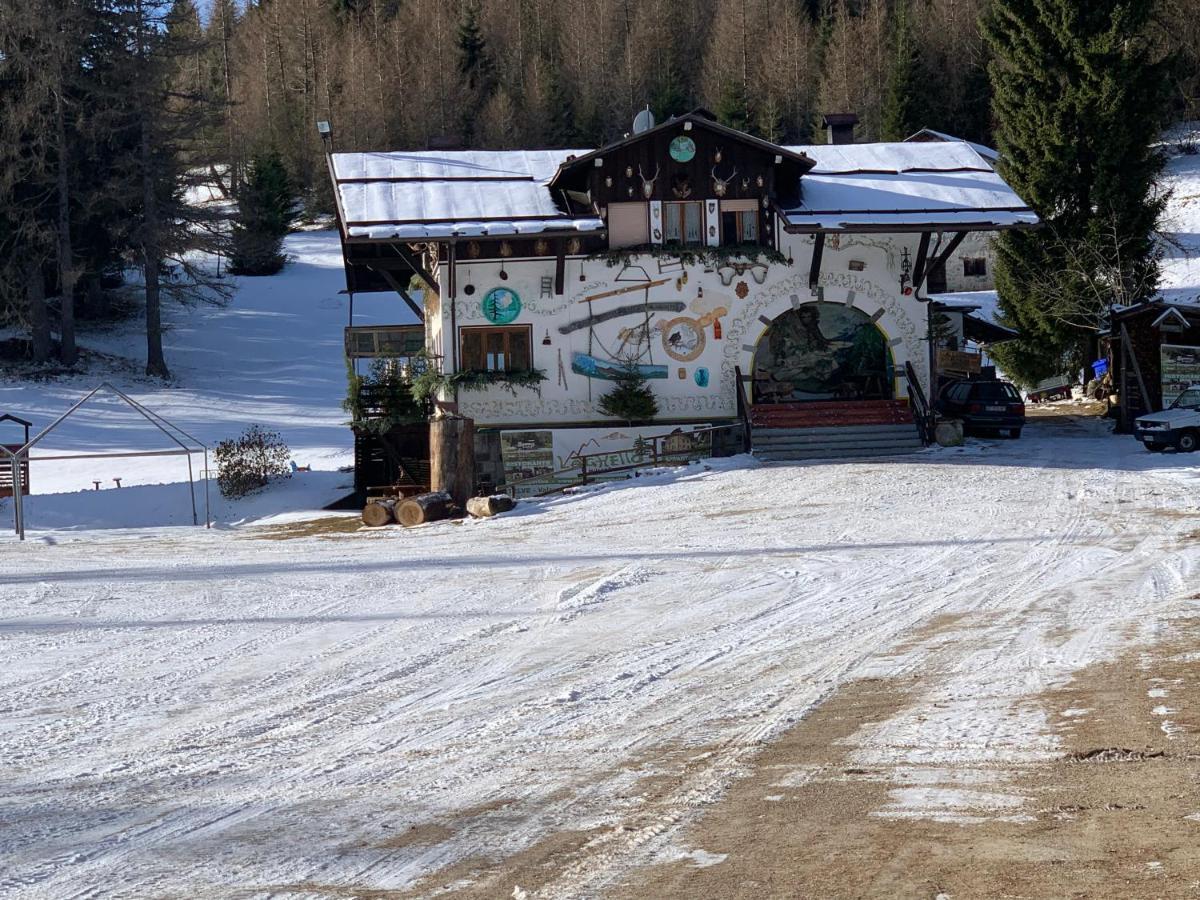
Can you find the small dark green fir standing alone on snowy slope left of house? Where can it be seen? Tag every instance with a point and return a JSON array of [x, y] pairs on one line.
[[265, 214]]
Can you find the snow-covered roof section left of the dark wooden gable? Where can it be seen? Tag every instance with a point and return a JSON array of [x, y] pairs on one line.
[[452, 194]]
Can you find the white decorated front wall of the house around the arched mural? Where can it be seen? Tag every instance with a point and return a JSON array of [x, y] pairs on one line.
[[568, 398]]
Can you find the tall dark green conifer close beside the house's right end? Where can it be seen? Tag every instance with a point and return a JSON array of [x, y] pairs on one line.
[[1081, 100]]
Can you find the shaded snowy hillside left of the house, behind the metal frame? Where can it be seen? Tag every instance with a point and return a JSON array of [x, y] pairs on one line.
[[273, 358]]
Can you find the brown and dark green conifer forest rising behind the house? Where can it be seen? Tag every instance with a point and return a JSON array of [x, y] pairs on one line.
[[115, 110]]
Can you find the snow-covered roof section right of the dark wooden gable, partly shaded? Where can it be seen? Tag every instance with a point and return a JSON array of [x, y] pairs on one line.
[[904, 187]]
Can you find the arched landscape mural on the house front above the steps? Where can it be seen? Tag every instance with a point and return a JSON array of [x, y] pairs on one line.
[[823, 351]]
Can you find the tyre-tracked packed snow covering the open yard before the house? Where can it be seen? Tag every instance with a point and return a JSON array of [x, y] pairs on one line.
[[218, 713]]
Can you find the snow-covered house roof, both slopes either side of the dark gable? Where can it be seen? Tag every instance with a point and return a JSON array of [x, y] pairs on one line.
[[899, 187]]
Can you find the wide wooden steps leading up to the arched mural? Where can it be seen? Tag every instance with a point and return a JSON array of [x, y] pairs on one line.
[[826, 431]]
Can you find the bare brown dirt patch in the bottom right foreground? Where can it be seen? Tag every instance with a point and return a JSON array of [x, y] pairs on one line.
[[1117, 817]]
